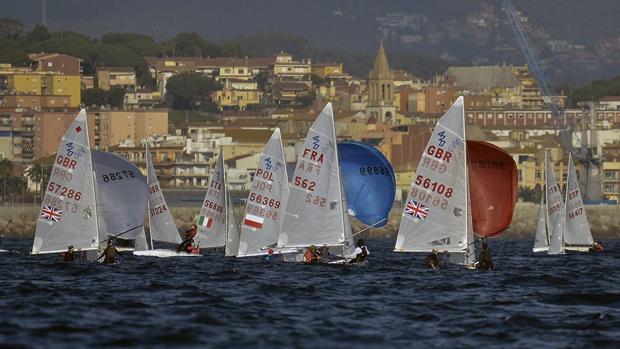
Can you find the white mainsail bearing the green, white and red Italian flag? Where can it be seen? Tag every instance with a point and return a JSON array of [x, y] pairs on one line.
[[212, 219]]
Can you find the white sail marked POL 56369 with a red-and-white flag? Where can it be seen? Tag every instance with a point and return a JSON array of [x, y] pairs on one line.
[[264, 209]]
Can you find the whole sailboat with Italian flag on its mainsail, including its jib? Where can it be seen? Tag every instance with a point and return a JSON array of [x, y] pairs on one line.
[[217, 225]]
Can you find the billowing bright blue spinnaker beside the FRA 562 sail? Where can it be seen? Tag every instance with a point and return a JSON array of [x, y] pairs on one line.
[[369, 182]]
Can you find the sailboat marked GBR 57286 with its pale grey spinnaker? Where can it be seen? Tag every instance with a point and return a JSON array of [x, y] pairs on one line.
[[90, 196]]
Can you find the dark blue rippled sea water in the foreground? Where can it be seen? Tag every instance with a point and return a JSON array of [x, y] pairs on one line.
[[530, 301]]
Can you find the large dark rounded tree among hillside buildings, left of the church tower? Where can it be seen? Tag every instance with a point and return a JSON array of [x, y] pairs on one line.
[[190, 91]]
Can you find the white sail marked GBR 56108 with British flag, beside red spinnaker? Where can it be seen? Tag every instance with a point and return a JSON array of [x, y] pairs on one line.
[[436, 212]]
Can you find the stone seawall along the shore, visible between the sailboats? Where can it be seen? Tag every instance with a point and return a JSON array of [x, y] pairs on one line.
[[20, 221]]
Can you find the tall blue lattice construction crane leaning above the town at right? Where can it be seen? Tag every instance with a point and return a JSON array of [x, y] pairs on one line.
[[581, 153]]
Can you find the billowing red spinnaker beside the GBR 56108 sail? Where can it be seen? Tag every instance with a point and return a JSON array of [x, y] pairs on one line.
[[492, 188]]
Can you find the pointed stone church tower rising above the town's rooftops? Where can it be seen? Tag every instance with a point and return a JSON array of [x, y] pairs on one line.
[[380, 89]]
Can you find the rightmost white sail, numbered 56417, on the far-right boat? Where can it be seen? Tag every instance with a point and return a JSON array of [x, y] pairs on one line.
[[577, 230]]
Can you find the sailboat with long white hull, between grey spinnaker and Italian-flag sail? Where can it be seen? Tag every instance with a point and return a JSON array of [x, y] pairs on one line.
[[161, 224]]
